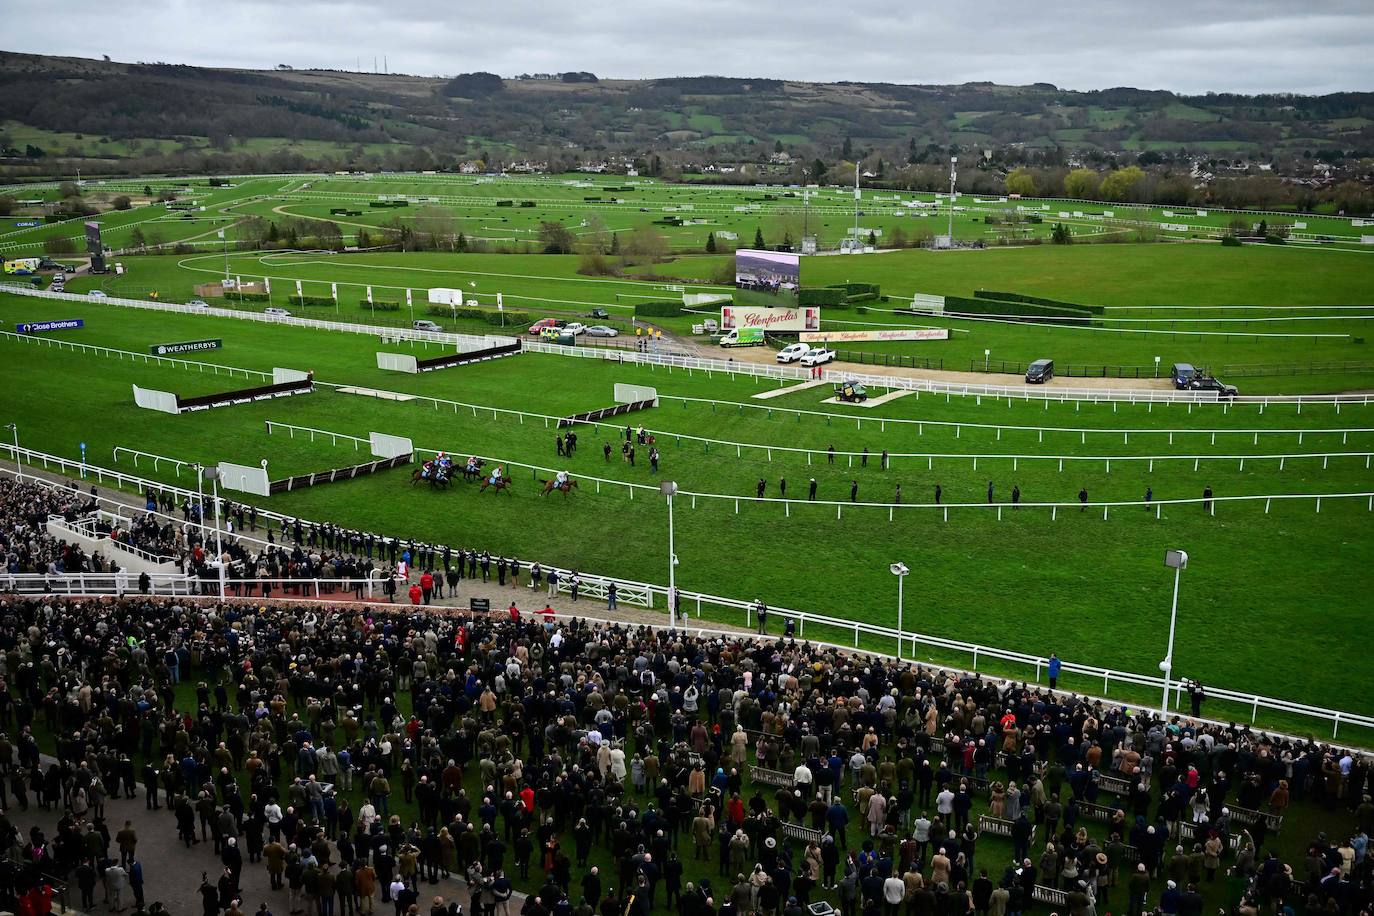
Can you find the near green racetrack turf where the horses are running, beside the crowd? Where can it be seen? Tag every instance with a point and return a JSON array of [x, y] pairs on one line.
[[1093, 590]]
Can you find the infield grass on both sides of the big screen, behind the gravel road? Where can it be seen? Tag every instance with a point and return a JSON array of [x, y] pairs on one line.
[[1162, 300]]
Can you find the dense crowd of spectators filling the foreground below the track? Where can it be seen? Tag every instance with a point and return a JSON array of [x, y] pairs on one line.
[[359, 752]]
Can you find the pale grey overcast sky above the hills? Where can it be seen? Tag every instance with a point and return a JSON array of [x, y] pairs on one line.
[[1186, 46]]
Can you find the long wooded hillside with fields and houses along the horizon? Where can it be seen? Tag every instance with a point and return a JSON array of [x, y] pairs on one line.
[[57, 113]]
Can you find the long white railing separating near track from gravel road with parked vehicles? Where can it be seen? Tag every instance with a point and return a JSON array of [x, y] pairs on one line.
[[668, 360]]
